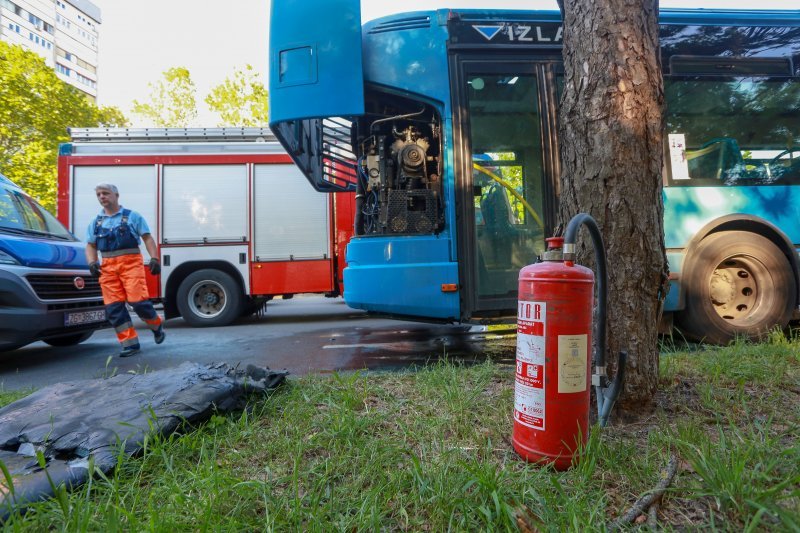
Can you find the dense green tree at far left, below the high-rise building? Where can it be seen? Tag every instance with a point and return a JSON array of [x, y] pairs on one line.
[[36, 108]]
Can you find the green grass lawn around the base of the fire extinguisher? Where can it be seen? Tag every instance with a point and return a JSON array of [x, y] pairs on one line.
[[429, 450]]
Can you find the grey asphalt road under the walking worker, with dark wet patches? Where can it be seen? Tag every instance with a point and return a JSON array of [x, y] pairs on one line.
[[302, 335]]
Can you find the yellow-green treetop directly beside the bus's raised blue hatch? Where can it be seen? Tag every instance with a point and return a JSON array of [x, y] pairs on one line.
[[241, 100]]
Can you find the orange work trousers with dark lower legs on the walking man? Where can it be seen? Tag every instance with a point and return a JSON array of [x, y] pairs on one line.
[[122, 279]]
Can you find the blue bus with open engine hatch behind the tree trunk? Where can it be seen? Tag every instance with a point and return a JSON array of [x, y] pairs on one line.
[[445, 123]]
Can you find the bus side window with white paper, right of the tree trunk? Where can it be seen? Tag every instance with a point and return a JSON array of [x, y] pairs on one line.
[[735, 131]]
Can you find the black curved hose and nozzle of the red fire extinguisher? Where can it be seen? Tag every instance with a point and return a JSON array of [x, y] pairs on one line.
[[606, 395]]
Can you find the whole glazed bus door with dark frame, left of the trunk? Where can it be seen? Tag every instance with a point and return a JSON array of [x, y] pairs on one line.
[[506, 192]]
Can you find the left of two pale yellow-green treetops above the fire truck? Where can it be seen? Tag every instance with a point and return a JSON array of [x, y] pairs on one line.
[[173, 100]]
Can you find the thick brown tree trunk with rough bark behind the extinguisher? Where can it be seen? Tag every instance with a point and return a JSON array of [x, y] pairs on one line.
[[612, 159]]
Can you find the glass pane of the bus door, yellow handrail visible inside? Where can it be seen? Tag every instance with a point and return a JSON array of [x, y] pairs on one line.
[[504, 125]]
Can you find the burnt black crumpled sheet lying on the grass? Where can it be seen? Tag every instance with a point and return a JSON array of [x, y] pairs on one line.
[[92, 422]]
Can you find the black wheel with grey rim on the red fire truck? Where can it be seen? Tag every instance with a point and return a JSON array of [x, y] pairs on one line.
[[209, 298]]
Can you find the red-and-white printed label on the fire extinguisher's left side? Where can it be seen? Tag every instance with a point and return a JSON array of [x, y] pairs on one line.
[[529, 406]]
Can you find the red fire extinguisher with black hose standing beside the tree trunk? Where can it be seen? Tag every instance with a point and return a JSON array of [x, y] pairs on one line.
[[554, 339]]
